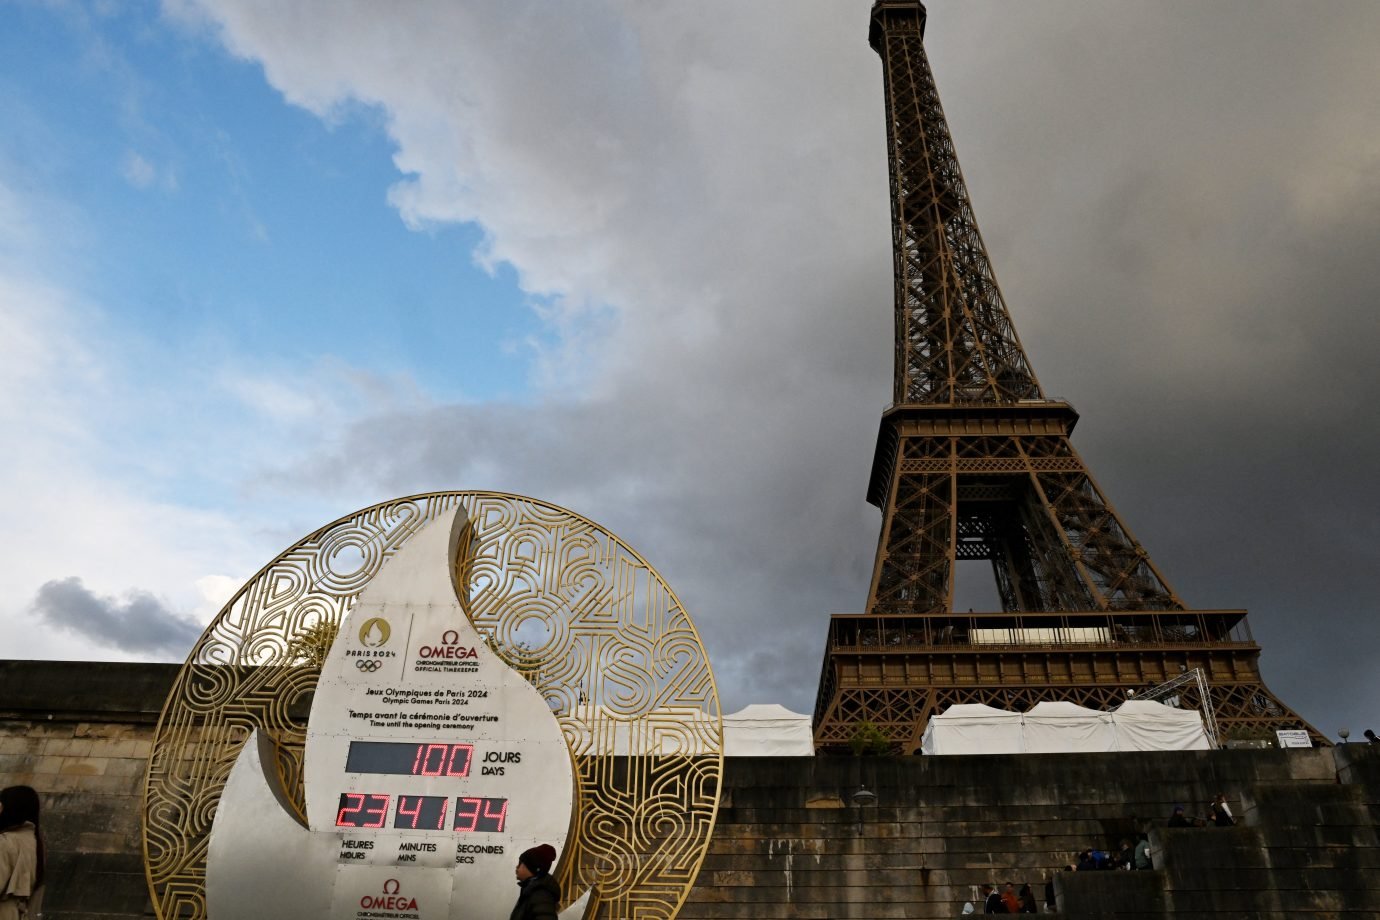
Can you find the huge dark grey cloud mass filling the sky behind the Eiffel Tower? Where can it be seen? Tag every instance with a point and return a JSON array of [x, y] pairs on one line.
[[1182, 202]]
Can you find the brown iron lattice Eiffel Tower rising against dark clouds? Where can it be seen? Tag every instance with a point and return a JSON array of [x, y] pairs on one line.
[[974, 463]]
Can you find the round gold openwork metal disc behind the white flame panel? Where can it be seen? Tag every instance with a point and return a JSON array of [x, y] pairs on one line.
[[583, 616]]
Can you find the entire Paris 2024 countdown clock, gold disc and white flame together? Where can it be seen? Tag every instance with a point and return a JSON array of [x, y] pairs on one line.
[[478, 672]]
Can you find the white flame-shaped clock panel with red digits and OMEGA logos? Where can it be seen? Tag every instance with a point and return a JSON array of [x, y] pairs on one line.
[[431, 766]]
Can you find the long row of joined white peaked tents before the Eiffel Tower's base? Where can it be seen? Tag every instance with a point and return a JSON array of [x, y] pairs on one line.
[[1063, 728]]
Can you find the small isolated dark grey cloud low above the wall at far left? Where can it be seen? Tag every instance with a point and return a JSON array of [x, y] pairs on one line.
[[137, 624]]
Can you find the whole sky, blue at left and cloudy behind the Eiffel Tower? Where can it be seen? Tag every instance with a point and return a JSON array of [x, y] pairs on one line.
[[263, 266]]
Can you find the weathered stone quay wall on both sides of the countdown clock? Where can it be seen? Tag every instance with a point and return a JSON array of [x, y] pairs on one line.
[[790, 841]]
